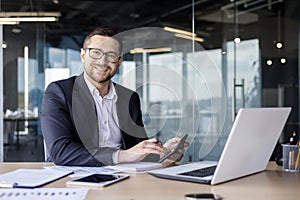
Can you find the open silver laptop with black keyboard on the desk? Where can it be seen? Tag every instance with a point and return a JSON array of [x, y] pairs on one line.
[[248, 149]]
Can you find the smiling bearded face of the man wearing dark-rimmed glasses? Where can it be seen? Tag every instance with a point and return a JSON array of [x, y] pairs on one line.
[[100, 70]]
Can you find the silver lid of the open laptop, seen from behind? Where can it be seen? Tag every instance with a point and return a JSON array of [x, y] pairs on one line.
[[251, 142]]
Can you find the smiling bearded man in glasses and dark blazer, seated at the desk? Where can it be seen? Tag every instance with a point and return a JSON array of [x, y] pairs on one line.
[[88, 120]]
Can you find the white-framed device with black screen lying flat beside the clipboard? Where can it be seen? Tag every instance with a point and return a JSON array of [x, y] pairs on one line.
[[98, 180]]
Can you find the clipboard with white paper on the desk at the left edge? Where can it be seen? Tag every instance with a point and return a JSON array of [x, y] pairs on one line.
[[30, 178]]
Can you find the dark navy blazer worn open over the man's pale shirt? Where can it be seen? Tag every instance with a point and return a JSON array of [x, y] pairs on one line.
[[70, 127]]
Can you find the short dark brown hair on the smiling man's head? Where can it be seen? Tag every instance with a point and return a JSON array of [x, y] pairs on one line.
[[104, 31]]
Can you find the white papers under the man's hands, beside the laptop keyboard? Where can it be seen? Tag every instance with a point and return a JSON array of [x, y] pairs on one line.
[[136, 166]]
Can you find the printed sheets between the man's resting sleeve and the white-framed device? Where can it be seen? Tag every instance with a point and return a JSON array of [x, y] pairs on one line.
[[83, 171]]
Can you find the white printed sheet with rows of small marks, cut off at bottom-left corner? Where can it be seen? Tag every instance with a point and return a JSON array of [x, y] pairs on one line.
[[44, 194]]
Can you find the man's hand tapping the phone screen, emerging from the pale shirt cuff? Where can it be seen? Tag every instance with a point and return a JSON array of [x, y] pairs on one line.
[[141, 150]]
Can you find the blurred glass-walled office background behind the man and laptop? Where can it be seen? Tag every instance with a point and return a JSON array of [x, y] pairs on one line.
[[194, 64]]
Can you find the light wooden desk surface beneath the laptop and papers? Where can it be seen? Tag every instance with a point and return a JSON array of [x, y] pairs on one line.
[[272, 184]]
